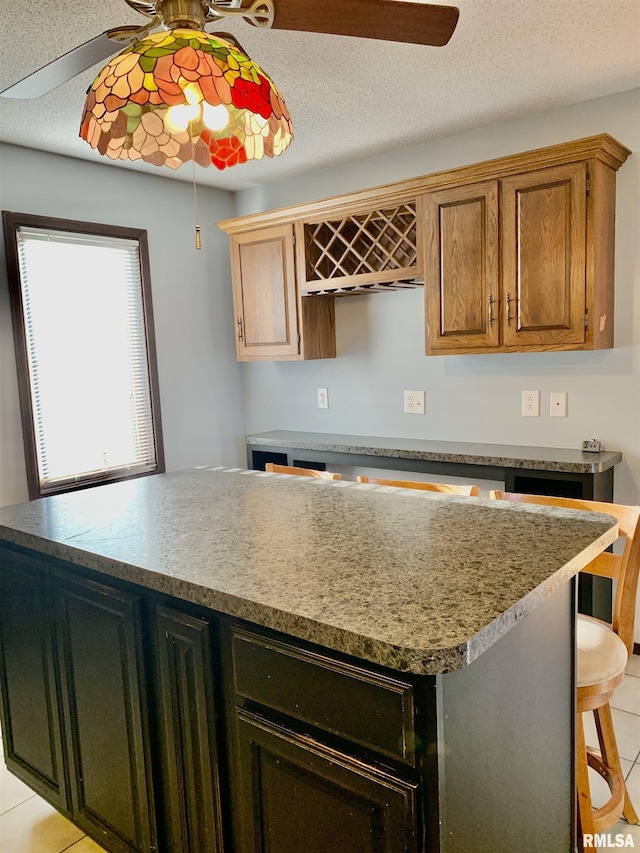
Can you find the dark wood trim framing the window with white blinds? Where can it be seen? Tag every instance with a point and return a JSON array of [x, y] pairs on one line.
[[14, 220]]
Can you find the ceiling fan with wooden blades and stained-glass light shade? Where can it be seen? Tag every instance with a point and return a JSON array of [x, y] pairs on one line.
[[176, 94]]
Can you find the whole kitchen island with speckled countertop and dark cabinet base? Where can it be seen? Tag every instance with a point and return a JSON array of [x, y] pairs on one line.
[[228, 660]]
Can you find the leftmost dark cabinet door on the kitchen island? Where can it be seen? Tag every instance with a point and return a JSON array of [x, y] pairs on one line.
[[28, 685]]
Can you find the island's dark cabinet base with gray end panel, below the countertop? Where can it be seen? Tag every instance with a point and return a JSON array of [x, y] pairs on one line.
[[157, 725]]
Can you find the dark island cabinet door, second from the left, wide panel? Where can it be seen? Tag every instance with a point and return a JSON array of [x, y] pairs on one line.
[[104, 697]]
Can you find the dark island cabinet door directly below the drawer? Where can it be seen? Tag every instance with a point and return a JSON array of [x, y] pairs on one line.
[[297, 795]]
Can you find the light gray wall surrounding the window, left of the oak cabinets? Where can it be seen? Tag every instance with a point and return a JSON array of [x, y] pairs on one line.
[[200, 380]]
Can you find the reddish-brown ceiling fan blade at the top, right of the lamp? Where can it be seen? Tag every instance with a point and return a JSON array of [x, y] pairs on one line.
[[389, 20]]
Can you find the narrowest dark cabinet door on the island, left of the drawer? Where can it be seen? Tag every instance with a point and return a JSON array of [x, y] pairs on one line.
[[191, 791]]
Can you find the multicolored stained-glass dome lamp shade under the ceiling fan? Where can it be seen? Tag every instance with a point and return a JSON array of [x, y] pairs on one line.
[[183, 95]]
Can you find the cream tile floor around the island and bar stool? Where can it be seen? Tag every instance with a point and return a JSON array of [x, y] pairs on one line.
[[29, 825]]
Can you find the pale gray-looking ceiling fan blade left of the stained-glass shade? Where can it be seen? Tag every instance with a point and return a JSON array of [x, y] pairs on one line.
[[63, 68]]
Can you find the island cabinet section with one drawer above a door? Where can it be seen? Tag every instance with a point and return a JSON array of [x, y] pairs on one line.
[[326, 757]]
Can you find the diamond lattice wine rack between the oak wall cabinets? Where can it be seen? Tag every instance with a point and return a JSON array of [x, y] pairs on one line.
[[380, 244]]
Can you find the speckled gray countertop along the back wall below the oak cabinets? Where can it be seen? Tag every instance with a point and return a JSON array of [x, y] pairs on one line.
[[470, 453]]
